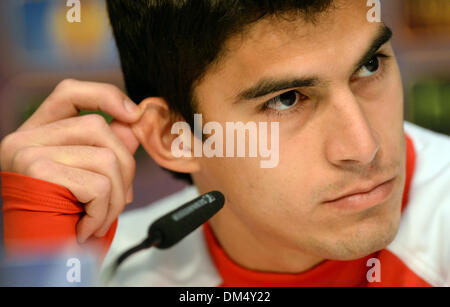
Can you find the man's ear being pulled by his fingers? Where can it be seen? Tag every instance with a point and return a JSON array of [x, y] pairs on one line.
[[153, 130]]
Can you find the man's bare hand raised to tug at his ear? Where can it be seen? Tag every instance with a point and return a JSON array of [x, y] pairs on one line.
[[92, 159]]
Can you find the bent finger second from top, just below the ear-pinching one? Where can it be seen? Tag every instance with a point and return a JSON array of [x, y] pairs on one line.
[[87, 130]]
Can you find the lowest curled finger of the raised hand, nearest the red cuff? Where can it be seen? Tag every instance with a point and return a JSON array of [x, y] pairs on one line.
[[92, 189]]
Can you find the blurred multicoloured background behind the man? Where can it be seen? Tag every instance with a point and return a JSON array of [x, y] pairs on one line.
[[39, 48]]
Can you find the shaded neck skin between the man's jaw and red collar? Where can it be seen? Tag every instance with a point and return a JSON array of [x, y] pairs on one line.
[[254, 251]]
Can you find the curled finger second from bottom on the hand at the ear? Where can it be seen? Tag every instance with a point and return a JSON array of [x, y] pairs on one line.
[[95, 159]]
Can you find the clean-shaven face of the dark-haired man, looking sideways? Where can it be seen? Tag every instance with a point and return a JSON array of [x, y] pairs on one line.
[[341, 130]]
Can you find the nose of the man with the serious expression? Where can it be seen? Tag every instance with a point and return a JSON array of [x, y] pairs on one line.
[[351, 141]]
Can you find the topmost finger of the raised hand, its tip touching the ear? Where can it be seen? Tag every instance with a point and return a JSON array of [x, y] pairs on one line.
[[70, 96]]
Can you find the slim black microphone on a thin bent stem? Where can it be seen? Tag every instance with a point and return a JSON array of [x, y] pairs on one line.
[[171, 228]]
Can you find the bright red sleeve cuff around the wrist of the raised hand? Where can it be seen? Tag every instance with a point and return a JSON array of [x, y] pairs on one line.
[[41, 217]]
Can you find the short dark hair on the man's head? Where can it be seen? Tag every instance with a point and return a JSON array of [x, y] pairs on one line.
[[166, 46]]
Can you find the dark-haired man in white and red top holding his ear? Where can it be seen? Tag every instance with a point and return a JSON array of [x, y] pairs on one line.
[[350, 190]]
